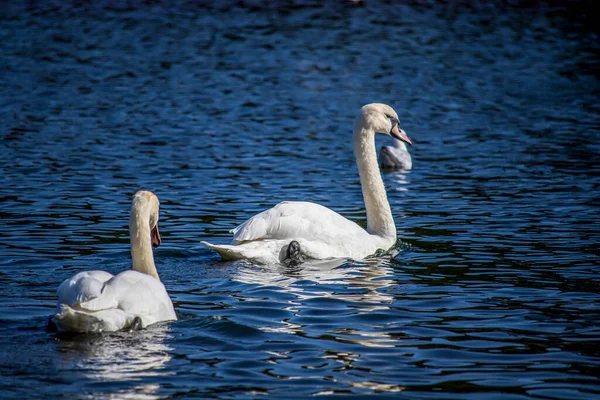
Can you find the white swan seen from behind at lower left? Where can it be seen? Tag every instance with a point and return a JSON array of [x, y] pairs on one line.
[[96, 301]]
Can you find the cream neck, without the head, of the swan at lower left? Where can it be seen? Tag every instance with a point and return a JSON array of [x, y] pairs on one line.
[[141, 243]]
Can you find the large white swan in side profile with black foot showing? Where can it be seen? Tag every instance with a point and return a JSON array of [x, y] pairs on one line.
[[320, 232]]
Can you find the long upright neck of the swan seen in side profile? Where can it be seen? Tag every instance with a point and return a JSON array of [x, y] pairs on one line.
[[380, 221]]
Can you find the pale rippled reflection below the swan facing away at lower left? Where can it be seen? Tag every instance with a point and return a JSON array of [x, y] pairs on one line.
[[140, 356]]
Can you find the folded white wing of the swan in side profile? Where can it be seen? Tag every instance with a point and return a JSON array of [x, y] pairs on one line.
[[295, 221]]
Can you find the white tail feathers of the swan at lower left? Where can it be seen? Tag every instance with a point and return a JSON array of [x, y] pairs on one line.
[[71, 319]]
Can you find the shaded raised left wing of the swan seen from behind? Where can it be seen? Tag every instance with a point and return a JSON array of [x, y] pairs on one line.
[[82, 287]]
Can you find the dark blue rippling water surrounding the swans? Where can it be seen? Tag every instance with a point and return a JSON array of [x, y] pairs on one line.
[[224, 110]]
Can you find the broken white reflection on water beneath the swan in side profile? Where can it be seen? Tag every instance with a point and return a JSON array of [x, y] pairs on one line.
[[363, 285]]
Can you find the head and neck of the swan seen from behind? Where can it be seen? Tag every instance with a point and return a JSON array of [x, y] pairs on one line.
[[143, 229]]
